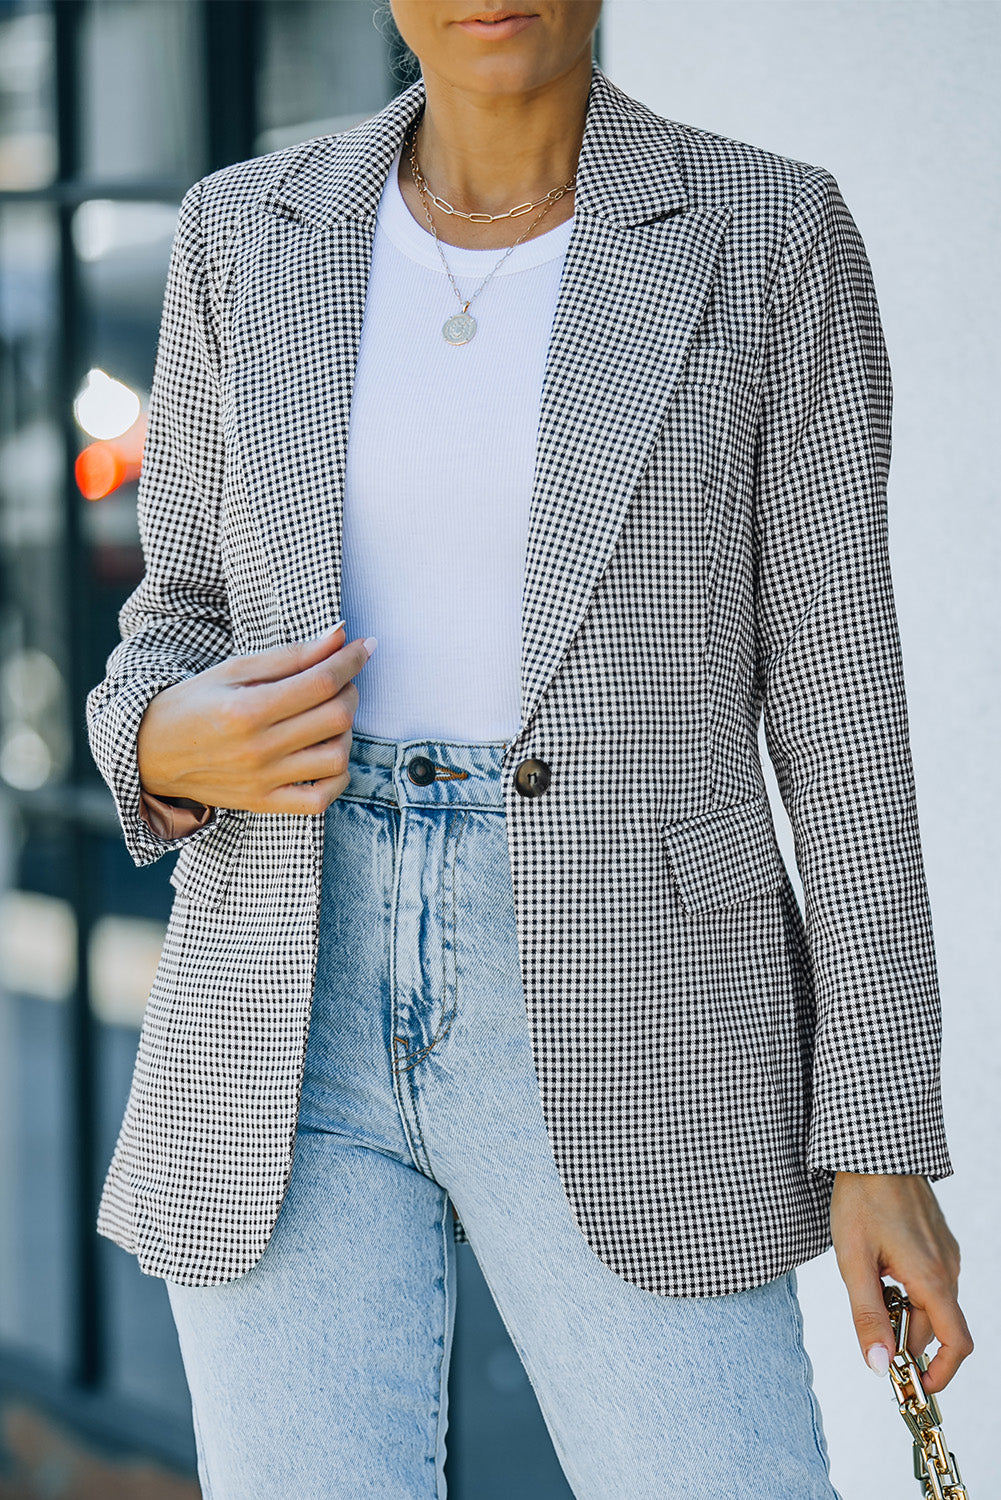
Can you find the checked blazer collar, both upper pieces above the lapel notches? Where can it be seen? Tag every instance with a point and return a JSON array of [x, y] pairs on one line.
[[628, 172]]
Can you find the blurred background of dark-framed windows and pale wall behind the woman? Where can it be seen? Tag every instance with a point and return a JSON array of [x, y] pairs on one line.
[[109, 112]]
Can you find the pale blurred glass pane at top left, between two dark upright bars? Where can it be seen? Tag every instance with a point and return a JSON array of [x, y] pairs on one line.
[[142, 89]]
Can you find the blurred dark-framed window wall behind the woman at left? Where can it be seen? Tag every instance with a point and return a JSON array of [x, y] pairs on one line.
[[109, 112]]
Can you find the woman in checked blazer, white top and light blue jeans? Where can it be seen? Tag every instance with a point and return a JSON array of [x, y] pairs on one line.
[[491, 914]]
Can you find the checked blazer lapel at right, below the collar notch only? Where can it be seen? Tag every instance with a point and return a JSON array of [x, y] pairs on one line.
[[630, 305]]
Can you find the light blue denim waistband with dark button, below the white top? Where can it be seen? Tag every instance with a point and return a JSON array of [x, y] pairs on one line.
[[427, 773]]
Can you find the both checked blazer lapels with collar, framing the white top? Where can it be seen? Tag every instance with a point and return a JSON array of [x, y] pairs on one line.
[[639, 272]]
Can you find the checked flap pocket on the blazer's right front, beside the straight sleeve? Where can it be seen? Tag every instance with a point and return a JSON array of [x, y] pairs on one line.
[[726, 857]]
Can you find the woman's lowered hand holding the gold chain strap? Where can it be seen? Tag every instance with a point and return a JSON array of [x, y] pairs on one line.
[[894, 1226]]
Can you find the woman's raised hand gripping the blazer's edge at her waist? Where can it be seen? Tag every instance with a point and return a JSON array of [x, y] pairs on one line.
[[268, 733]]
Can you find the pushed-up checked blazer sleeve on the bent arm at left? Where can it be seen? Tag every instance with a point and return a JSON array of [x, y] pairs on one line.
[[176, 623]]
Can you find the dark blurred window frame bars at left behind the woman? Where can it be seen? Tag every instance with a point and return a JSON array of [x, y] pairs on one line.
[[80, 806]]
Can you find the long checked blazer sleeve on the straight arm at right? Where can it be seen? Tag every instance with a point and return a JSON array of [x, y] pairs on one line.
[[832, 685]]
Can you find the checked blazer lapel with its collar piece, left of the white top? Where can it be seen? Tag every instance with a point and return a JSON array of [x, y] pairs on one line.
[[319, 229]]
